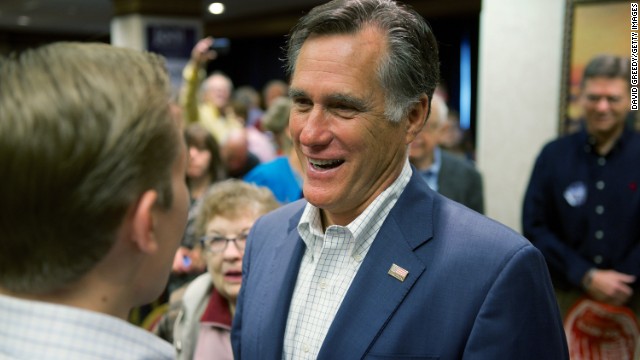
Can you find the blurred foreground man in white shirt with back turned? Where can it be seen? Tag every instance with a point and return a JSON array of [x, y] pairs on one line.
[[94, 200]]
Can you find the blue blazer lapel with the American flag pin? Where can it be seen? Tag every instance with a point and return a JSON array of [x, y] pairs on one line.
[[375, 295]]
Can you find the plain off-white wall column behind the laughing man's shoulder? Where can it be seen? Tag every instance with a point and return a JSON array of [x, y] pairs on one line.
[[518, 96]]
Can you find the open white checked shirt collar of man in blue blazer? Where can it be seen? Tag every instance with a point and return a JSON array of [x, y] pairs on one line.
[[364, 228]]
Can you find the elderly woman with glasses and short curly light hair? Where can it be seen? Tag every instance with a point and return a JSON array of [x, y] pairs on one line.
[[199, 320]]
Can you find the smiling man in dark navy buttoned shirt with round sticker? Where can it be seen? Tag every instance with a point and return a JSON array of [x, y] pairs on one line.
[[583, 203]]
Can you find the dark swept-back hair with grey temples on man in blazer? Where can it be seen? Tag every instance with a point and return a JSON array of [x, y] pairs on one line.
[[411, 67]]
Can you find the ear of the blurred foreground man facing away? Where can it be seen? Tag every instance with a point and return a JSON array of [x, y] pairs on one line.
[[144, 223]]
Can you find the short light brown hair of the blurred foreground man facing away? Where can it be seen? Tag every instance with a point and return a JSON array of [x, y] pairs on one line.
[[85, 129]]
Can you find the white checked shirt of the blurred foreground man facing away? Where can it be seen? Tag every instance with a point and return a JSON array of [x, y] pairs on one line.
[[77, 332]]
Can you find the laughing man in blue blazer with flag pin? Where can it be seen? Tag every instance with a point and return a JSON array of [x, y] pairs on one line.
[[372, 263]]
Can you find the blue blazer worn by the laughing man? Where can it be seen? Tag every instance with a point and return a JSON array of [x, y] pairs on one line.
[[475, 289]]
